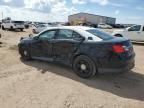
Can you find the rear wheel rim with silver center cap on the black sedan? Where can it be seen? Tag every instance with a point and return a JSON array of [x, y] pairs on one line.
[[83, 67]]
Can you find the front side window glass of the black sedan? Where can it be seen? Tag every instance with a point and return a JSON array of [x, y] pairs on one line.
[[47, 35]]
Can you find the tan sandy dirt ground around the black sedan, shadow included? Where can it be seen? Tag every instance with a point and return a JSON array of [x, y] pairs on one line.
[[37, 84]]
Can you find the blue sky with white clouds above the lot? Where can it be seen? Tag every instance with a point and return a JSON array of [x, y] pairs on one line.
[[125, 11]]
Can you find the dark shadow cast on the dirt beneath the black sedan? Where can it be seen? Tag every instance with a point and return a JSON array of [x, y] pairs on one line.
[[127, 85]]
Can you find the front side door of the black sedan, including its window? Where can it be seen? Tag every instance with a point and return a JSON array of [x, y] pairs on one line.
[[42, 46]]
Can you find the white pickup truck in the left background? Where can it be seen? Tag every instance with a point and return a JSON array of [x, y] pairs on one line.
[[13, 25]]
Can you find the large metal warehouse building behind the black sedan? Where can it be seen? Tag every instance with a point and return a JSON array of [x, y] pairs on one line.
[[81, 18]]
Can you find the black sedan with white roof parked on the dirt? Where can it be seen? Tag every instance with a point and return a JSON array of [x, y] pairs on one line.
[[87, 50]]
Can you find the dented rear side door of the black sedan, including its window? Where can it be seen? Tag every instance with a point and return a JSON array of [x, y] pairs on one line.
[[66, 44]]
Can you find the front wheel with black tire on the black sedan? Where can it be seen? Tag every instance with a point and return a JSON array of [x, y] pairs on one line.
[[25, 54]]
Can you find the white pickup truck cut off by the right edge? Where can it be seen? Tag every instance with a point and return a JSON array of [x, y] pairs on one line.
[[135, 33]]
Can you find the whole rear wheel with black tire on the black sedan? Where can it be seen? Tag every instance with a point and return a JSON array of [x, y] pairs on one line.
[[84, 67]]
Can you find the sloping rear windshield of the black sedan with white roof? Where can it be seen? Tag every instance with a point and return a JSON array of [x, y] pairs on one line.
[[100, 34]]
